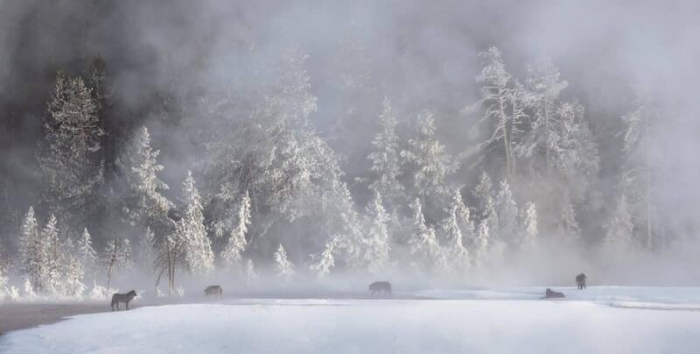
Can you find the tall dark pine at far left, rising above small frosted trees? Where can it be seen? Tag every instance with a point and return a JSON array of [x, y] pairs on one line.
[[71, 160]]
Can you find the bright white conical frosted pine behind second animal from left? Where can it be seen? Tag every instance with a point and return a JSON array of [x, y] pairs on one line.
[[191, 229]]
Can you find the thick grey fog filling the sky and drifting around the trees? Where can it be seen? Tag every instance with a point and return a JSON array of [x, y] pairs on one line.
[[201, 76]]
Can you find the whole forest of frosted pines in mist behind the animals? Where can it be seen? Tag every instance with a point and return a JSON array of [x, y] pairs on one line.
[[263, 179]]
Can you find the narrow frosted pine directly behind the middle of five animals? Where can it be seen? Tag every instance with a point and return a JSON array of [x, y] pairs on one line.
[[378, 241]]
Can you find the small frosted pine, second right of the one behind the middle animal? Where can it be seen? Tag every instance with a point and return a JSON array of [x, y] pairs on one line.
[[456, 253]]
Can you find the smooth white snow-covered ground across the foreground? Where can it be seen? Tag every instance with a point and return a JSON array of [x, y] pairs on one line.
[[474, 321]]
